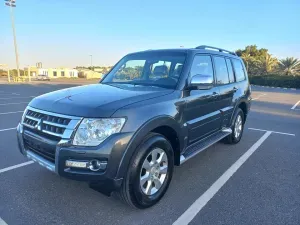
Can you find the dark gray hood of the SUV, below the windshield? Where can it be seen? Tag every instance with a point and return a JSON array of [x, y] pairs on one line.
[[96, 100]]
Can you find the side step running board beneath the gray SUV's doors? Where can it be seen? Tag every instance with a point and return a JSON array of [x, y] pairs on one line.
[[204, 144]]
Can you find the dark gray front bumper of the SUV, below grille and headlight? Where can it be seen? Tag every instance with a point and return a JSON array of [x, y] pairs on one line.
[[110, 152]]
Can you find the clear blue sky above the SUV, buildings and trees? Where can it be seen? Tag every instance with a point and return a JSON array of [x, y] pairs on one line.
[[64, 33]]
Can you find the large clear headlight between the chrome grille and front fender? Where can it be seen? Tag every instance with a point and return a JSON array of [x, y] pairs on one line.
[[91, 132]]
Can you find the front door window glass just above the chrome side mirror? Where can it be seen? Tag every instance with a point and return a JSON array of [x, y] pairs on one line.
[[202, 65]]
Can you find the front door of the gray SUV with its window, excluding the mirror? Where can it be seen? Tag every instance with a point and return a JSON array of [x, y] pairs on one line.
[[202, 114]]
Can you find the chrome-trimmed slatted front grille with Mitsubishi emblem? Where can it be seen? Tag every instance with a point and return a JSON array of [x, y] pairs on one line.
[[50, 123]]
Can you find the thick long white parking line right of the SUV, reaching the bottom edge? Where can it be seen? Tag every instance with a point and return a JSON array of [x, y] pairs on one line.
[[196, 207]]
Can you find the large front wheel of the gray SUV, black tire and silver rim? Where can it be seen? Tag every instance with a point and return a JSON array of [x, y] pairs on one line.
[[132, 192]]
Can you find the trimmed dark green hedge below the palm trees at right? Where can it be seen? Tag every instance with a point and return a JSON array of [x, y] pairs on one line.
[[276, 81]]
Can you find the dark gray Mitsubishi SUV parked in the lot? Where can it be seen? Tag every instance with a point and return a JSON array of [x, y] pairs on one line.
[[154, 110]]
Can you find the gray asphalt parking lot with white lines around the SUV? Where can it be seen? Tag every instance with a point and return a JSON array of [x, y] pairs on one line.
[[254, 182]]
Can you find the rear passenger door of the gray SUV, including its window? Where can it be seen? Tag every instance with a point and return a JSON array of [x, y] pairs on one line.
[[227, 87]]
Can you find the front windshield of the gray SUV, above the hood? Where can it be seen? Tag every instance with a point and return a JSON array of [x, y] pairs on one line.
[[161, 69]]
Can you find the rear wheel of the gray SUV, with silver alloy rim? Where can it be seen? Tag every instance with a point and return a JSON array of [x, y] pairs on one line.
[[233, 138]]
